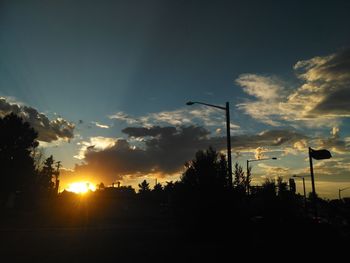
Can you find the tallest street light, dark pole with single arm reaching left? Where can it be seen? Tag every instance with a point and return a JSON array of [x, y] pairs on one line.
[[228, 135]]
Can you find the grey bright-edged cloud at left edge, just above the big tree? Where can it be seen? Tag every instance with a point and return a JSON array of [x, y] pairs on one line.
[[48, 130]]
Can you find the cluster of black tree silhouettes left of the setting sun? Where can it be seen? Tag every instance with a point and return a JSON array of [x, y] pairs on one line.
[[24, 172]]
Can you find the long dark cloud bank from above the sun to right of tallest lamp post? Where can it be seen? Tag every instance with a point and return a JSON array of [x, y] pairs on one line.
[[166, 149]]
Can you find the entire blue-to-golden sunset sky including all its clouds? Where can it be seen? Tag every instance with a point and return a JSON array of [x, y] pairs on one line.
[[105, 84]]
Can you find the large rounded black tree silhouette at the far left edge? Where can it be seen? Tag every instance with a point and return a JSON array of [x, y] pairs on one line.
[[17, 141]]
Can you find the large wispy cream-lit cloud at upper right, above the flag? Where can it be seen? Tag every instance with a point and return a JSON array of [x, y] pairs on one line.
[[321, 98]]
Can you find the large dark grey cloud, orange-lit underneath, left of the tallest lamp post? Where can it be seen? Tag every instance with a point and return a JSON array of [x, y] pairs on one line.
[[164, 152]]
